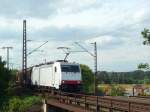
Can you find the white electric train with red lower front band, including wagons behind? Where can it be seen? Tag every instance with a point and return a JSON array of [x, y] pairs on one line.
[[60, 75]]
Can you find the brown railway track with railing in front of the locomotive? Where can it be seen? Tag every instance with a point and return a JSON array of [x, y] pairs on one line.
[[100, 103]]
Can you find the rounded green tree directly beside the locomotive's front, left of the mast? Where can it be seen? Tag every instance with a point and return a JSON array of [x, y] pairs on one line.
[[87, 78]]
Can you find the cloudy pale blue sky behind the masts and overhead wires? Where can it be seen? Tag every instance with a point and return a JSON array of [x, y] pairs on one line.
[[114, 24]]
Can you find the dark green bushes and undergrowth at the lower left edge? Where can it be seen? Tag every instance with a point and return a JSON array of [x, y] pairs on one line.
[[9, 100]]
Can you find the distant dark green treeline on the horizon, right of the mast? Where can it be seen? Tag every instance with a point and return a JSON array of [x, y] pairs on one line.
[[135, 77]]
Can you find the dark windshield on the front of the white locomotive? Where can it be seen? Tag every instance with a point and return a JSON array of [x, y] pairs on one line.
[[70, 68]]
